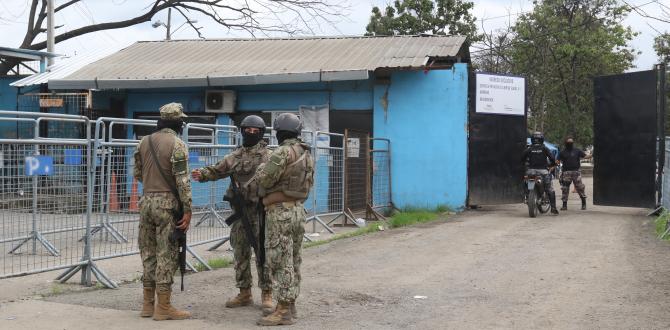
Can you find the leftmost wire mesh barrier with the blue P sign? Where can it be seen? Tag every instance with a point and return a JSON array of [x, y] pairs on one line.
[[44, 211]]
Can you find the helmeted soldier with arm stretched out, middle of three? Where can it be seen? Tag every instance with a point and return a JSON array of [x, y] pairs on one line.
[[241, 164]]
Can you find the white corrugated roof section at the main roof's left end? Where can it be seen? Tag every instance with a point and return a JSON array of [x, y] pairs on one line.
[[64, 67]]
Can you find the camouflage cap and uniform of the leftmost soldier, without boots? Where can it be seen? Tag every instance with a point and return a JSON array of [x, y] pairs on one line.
[[158, 208]]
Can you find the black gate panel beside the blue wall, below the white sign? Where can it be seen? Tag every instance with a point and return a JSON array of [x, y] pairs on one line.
[[496, 142]]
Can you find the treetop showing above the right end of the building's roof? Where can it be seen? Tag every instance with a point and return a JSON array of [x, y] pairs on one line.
[[411, 17]]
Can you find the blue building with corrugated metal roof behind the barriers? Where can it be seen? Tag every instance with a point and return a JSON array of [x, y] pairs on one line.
[[412, 90]]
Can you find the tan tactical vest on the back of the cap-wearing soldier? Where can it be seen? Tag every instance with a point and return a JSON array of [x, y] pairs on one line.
[[152, 180]]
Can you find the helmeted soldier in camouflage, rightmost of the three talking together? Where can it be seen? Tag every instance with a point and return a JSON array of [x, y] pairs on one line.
[[285, 181]]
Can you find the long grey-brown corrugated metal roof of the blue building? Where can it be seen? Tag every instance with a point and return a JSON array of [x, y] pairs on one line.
[[181, 63]]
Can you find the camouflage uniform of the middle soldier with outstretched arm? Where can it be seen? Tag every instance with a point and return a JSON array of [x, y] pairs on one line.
[[242, 164]]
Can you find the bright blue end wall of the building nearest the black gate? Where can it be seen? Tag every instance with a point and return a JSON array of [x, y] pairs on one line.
[[425, 116]]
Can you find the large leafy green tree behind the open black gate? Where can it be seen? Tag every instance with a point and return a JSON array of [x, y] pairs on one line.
[[560, 47]]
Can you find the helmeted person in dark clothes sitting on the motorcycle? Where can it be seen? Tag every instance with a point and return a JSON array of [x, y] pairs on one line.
[[539, 159]]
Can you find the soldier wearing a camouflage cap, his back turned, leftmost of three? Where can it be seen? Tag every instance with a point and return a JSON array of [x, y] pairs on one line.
[[158, 207]]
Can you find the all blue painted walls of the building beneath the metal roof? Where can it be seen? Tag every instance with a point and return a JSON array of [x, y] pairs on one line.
[[423, 113]]
